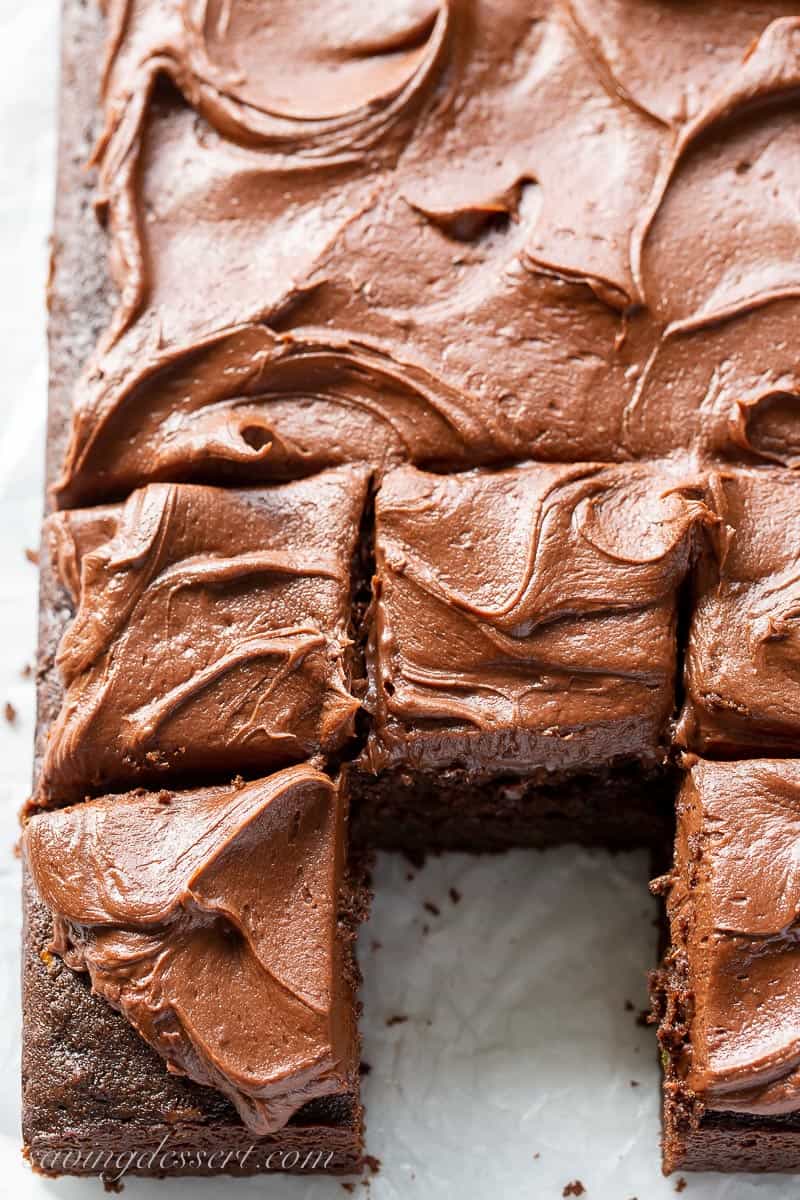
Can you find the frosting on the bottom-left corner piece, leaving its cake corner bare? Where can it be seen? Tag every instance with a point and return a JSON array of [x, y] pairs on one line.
[[209, 920]]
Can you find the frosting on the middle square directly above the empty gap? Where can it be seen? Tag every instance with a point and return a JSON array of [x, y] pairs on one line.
[[526, 619]]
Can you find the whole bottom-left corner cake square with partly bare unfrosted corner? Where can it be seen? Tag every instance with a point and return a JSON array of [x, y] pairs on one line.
[[190, 981]]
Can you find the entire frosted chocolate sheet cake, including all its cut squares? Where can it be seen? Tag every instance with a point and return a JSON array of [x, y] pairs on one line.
[[423, 429]]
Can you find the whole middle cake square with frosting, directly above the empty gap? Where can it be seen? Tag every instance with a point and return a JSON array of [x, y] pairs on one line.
[[522, 652]]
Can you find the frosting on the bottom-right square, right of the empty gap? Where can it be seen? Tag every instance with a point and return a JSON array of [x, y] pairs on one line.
[[735, 910]]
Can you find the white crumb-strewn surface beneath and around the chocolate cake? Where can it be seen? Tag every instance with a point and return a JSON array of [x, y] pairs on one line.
[[518, 1042]]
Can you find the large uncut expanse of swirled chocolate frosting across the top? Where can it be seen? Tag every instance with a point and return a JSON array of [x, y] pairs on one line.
[[394, 268]]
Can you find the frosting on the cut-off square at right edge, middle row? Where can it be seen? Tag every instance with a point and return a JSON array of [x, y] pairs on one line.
[[743, 662]]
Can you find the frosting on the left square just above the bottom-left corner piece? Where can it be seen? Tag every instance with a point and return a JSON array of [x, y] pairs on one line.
[[212, 633]]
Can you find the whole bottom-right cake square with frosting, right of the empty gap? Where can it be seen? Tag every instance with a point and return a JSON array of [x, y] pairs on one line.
[[729, 993]]
